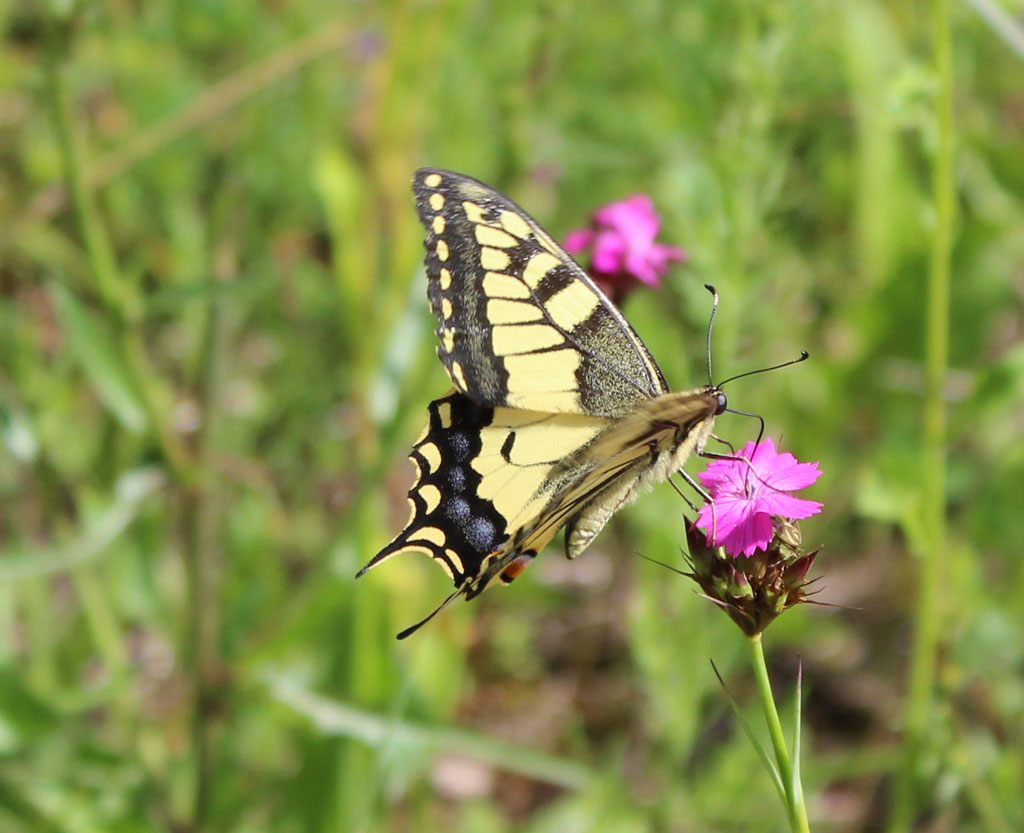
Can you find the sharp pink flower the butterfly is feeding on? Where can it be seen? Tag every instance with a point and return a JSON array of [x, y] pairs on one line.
[[746, 493]]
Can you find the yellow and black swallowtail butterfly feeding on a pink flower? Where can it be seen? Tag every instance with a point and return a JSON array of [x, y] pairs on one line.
[[559, 415]]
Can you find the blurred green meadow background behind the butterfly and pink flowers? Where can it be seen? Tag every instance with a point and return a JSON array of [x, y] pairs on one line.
[[216, 352]]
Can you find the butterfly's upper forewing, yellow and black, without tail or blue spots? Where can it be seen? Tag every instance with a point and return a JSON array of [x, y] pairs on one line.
[[521, 324]]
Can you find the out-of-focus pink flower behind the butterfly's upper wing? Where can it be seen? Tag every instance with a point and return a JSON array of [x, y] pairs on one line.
[[621, 238]]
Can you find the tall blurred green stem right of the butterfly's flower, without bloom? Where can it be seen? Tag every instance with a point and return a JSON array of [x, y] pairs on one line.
[[933, 562]]
